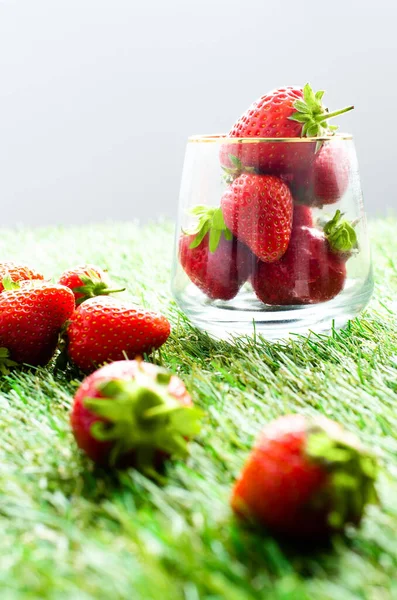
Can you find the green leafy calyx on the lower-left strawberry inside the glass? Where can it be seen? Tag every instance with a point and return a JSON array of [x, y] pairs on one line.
[[210, 221]]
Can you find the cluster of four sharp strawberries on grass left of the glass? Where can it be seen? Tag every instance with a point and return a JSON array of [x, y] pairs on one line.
[[77, 313]]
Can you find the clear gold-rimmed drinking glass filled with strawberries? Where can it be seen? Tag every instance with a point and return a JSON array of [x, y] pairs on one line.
[[271, 236]]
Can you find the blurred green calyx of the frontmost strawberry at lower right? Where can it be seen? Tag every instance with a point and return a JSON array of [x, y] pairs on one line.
[[351, 469]]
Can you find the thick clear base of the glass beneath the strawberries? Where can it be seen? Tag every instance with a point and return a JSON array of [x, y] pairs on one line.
[[245, 315]]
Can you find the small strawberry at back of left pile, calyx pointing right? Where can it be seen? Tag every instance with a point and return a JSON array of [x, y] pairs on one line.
[[87, 281]]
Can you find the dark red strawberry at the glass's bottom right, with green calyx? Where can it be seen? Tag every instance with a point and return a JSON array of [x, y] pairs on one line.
[[312, 270]]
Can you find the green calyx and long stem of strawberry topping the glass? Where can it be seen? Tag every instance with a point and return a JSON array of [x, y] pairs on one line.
[[313, 115]]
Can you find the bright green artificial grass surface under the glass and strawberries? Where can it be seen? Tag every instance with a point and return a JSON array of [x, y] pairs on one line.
[[72, 532]]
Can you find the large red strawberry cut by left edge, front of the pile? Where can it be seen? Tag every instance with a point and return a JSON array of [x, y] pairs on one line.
[[31, 319]]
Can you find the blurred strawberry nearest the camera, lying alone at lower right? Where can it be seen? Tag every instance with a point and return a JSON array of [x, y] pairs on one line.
[[305, 477]]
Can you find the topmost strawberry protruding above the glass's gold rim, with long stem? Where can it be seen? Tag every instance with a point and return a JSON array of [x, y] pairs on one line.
[[287, 112]]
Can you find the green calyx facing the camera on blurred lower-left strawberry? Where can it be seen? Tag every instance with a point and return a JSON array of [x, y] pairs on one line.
[[141, 416]]
